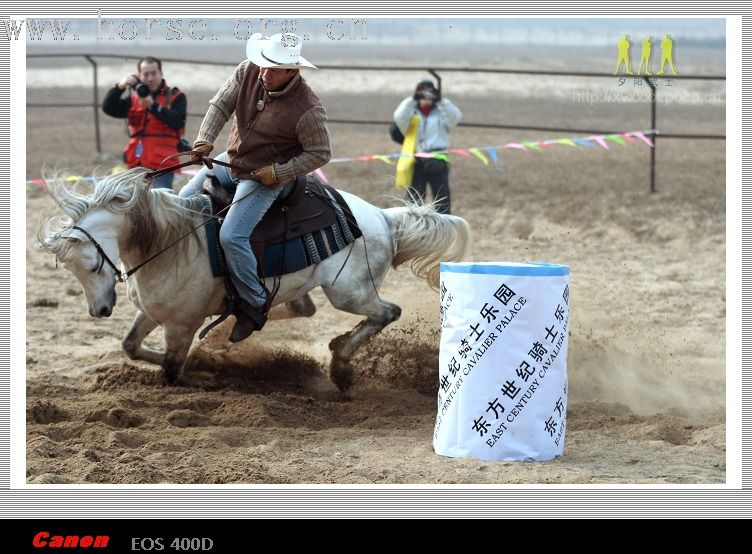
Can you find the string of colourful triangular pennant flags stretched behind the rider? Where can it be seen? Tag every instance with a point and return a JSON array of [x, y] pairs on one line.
[[486, 154]]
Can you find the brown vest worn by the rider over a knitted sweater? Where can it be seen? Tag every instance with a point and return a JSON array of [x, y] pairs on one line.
[[263, 137]]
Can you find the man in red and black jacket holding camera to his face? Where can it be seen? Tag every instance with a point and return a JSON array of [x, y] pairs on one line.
[[156, 117]]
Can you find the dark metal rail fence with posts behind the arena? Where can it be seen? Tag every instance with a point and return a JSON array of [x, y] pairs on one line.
[[436, 73]]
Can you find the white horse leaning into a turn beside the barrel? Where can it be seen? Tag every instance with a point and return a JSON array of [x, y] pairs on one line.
[[127, 220]]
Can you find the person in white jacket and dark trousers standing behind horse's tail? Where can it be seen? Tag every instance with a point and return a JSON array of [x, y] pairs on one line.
[[437, 117]]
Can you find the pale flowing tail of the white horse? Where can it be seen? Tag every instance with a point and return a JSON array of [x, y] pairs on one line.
[[425, 237]]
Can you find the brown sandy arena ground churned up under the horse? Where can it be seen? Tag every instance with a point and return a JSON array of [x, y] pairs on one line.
[[646, 351]]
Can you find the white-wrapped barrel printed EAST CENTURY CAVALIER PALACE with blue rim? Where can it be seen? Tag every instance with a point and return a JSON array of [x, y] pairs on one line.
[[503, 360]]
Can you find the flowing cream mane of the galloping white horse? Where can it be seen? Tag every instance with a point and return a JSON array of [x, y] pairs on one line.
[[156, 217]]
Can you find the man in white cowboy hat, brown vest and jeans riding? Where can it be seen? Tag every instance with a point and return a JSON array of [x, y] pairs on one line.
[[278, 133]]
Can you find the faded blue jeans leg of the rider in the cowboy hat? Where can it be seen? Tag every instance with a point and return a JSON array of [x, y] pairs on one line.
[[240, 221]]
